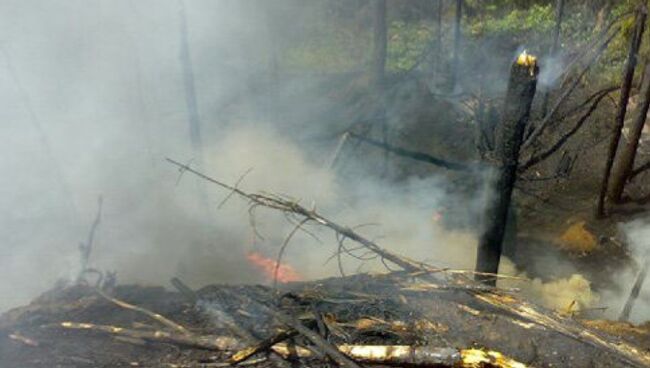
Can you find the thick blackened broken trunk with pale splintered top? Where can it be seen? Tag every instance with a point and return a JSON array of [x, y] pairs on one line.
[[516, 111]]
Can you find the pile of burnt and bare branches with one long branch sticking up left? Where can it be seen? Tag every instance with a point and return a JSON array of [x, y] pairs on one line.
[[419, 316]]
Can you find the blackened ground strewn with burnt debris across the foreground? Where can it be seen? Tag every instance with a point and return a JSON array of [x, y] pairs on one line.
[[363, 309]]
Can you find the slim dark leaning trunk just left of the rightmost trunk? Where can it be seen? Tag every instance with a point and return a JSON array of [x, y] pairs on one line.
[[628, 77]]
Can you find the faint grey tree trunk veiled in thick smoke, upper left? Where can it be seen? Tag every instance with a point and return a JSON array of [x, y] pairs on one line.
[[190, 90]]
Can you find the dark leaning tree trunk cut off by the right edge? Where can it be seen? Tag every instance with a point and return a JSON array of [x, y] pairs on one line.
[[625, 163]]
